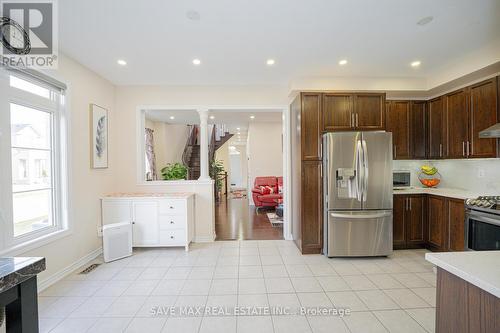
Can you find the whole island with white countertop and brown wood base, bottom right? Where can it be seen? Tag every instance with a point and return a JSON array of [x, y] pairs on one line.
[[468, 291]]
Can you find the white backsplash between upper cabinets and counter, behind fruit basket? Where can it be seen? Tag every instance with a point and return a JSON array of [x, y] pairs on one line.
[[476, 175]]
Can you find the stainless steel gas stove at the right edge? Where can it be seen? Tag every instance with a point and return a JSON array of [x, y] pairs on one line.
[[482, 223]]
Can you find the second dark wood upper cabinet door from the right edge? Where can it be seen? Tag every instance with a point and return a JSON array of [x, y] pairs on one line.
[[457, 115]]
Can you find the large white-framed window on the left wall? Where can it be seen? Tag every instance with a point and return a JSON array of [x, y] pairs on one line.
[[37, 185]]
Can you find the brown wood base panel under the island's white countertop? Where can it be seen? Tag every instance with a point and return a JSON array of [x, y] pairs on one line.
[[462, 307]]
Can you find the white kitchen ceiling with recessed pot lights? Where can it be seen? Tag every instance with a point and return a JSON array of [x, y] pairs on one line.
[[234, 38]]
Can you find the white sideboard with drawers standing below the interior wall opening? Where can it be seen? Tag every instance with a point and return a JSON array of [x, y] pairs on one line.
[[158, 219]]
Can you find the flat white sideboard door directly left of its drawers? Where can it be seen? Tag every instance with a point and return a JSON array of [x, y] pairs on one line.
[[145, 223]]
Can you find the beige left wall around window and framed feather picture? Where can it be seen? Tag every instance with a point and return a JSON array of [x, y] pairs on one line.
[[86, 185]]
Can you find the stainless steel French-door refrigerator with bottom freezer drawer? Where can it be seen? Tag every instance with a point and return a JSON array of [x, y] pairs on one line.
[[357, 194]]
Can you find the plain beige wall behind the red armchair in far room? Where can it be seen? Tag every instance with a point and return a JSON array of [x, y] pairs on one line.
[[264, 151]]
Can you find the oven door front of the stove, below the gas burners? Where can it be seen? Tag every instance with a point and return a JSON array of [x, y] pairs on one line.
[[482, 231]]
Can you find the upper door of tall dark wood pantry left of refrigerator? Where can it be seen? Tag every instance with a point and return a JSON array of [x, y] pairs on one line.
[[311, 126]]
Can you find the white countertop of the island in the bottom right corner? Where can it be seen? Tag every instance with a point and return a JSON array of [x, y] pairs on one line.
[[480, 268]]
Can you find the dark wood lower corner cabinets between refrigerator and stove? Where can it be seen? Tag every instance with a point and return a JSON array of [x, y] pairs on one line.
[[434, 222]]
